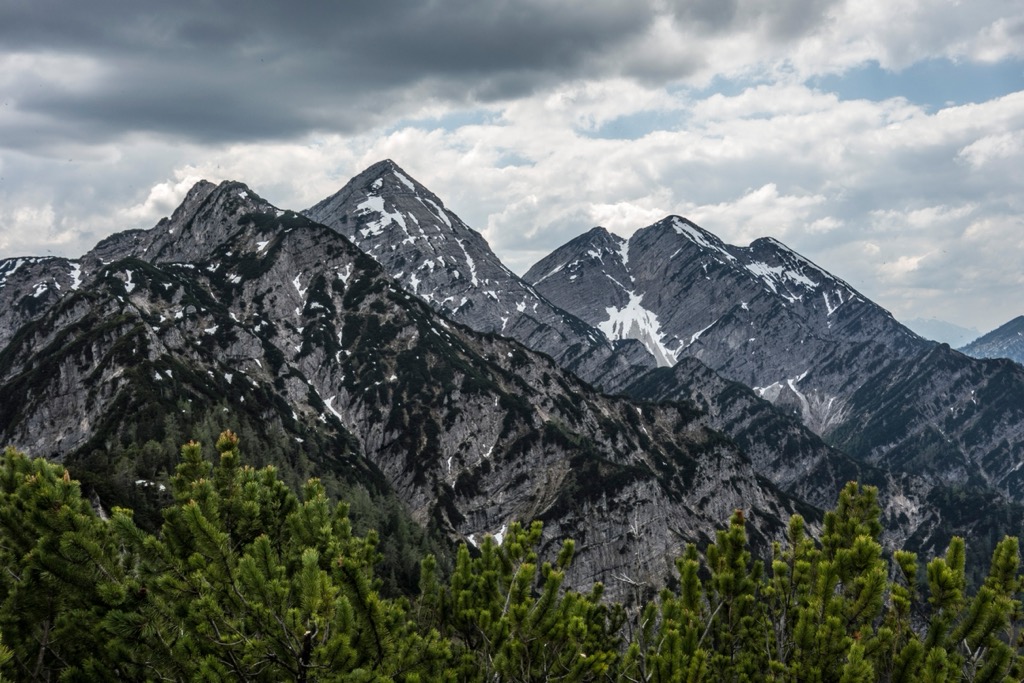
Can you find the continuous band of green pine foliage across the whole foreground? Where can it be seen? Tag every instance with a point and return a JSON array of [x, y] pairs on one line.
[[246, 580]]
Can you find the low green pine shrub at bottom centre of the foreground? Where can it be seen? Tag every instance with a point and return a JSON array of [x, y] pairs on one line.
[[509, 619]]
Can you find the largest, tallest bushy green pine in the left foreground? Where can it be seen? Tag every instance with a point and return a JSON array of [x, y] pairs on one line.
[[246, 582]]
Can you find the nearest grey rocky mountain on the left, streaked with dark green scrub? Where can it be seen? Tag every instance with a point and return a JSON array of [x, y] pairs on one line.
[[285, 320]]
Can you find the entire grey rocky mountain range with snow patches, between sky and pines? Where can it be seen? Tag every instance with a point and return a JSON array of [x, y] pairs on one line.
[[631, 394]]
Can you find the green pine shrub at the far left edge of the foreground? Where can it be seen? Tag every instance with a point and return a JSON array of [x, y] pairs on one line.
[[64, 573]]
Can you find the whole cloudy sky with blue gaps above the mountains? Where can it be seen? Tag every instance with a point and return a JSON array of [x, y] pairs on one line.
[[882, 139]]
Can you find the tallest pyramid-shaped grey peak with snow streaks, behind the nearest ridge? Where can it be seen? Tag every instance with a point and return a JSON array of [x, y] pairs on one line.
[[436, 255]]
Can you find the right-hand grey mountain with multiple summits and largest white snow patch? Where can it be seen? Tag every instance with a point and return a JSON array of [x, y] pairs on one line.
[[804, 340]]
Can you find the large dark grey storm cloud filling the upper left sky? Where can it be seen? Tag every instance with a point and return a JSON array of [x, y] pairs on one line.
[[227, 72]]
